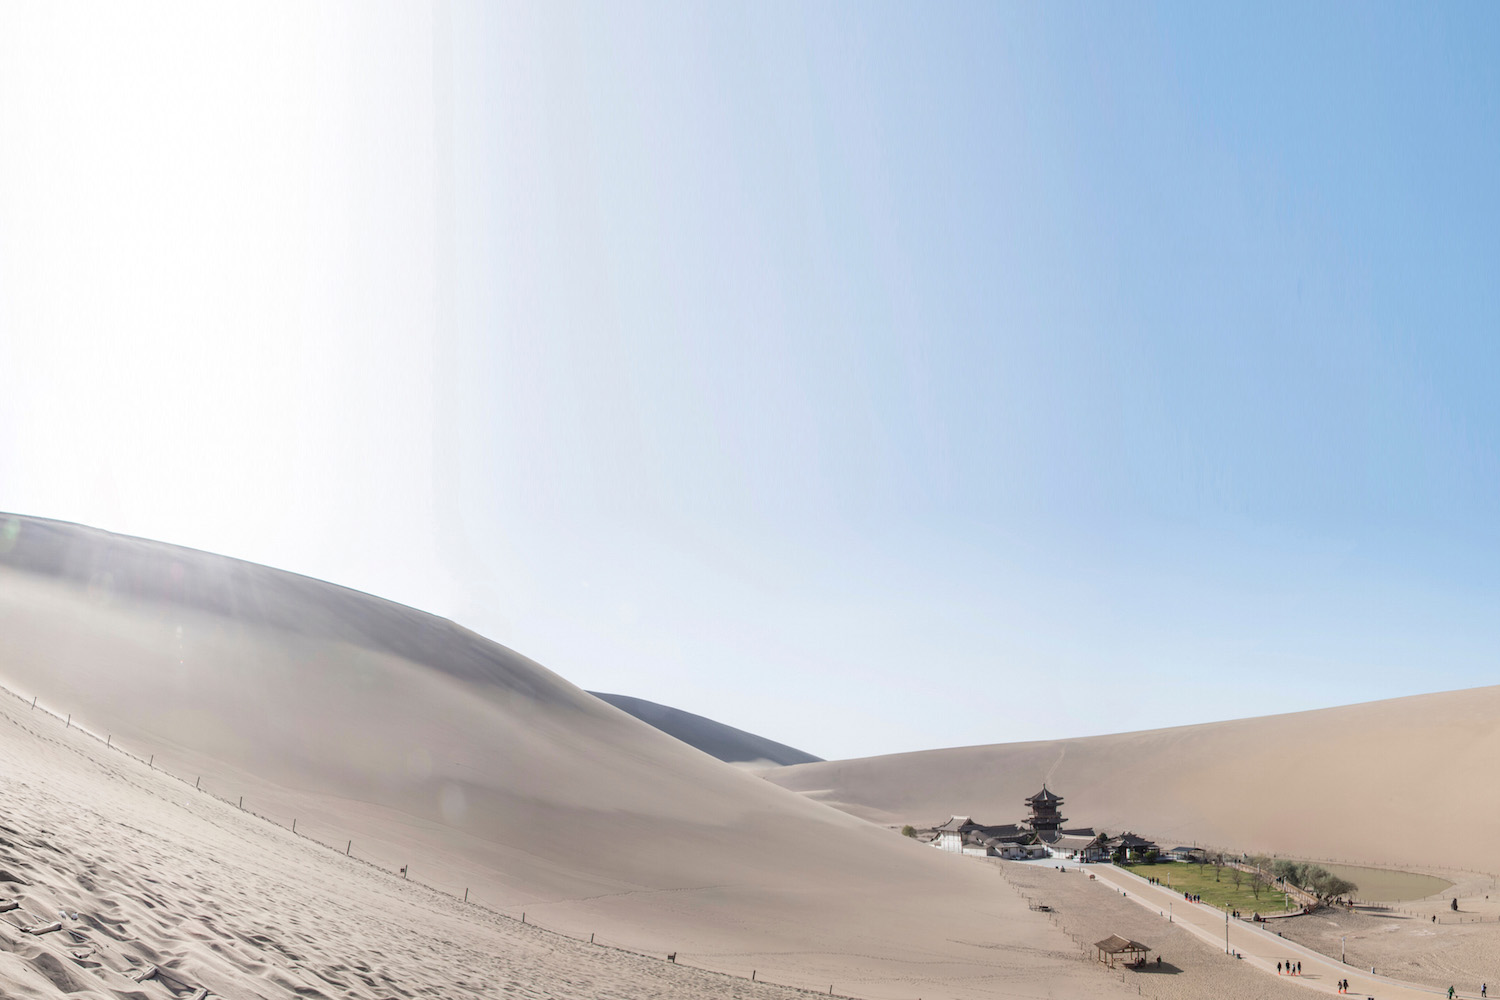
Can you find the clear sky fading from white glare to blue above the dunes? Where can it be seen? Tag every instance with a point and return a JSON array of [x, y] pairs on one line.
[[869, 377]]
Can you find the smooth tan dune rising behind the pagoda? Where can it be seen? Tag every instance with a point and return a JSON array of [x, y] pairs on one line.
[[1399, 782]]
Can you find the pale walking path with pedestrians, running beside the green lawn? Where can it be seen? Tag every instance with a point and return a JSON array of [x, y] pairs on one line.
[[1259, 947]]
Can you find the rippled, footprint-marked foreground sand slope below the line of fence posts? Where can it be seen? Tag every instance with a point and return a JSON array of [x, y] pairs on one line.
[[143, 872]]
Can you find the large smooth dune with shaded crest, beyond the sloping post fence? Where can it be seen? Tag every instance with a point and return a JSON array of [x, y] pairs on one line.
[[431, 747]]
